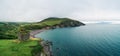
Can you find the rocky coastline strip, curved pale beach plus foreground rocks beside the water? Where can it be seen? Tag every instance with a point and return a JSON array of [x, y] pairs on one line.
[[47, 50]]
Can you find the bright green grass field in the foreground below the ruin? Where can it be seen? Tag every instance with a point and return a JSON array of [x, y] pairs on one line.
[[16, 48]]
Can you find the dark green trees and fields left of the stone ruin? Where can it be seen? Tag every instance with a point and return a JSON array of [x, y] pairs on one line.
[[8, 30]]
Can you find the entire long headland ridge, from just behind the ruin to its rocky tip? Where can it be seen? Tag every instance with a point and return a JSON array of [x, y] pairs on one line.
[[52, 23]]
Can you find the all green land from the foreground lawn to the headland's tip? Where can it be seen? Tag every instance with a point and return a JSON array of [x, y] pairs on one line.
[[10, 30]]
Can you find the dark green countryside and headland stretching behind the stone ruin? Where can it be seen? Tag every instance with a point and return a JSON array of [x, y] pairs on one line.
[[9, 30]]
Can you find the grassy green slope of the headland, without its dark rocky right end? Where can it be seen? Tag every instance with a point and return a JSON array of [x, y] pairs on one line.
[[42, 24]]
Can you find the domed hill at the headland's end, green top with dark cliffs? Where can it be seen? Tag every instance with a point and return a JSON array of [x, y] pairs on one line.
[[60, 22]]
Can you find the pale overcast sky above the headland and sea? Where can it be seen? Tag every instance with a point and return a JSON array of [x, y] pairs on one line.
[[37, 10]]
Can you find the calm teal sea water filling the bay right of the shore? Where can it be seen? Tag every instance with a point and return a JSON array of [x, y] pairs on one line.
[[89, 40]]
